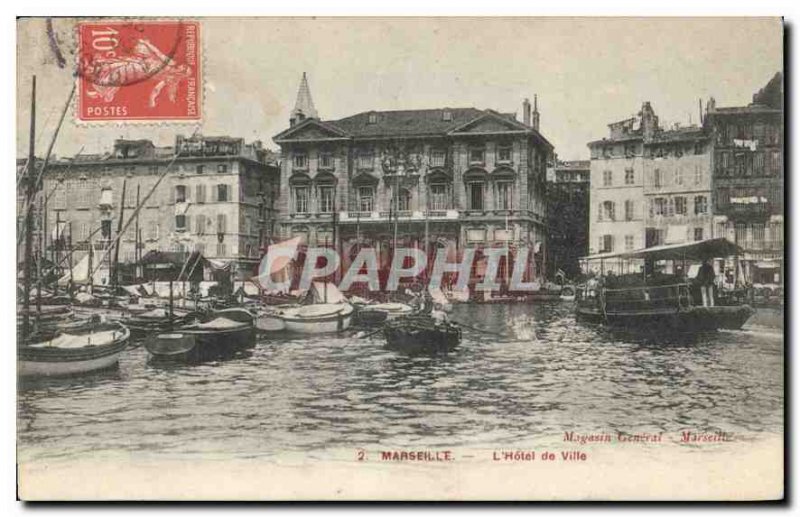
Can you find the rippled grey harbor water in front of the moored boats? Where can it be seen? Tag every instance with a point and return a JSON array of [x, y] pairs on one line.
[[546, 375]]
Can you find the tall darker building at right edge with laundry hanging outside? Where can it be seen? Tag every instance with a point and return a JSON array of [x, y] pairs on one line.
[[749, 179]]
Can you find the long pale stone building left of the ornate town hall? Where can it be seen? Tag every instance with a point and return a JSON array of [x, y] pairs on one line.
[[217, 198]]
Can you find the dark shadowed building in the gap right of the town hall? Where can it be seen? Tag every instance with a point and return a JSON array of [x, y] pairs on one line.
[[568, 215]]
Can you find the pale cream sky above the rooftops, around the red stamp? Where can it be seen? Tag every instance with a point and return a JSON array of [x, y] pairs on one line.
[[586, 72]]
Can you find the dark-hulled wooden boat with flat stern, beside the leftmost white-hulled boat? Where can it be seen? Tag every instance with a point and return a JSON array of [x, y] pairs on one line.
[[226, 333]]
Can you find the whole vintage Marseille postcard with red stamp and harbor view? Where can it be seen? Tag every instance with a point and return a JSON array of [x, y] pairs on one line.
[[400, 259]]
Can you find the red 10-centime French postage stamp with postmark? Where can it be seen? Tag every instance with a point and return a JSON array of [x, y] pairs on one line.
[[136, 70]]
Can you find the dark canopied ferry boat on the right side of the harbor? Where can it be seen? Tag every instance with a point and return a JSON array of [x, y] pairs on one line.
[[668, 303]]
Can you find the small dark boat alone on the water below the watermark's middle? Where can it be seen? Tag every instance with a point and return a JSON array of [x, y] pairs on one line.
[[421, 334]]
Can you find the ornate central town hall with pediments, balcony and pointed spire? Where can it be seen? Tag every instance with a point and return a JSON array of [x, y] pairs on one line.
[[461, 176]]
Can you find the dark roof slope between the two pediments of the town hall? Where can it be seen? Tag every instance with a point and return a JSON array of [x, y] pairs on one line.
[[405, 122]]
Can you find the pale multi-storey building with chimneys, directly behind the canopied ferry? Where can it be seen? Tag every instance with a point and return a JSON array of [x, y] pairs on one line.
[[649, 185]]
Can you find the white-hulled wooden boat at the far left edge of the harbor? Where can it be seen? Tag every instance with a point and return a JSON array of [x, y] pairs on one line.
[[88, 349]]
